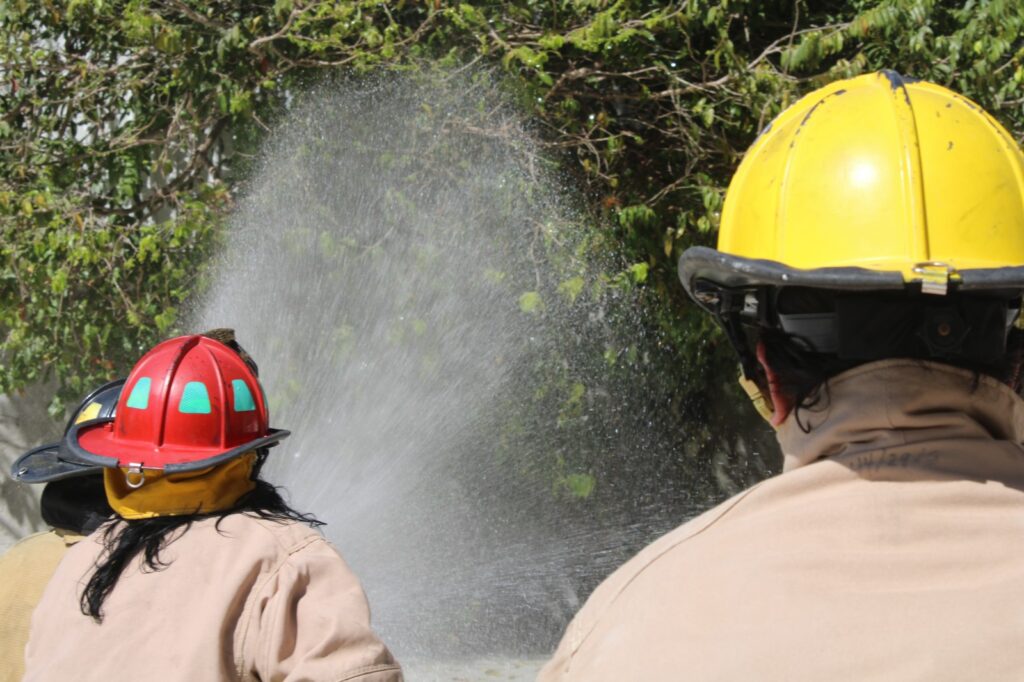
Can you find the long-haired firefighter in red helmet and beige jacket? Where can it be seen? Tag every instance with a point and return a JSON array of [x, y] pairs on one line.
[[206, 573]]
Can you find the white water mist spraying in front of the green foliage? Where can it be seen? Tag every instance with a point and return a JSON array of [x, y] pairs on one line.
[[376, 269]]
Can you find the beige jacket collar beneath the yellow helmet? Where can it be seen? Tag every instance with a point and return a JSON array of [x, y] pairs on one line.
[[900, 403]]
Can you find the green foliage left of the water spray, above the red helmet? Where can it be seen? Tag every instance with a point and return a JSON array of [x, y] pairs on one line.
[[126, 129]]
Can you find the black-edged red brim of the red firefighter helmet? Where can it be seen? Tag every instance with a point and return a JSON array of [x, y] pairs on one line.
[[89, 442]]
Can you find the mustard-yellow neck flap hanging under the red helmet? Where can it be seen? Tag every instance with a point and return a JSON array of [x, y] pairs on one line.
[[158, 494]]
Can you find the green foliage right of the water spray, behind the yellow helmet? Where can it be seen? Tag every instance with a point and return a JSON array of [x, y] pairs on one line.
[[659, 101]]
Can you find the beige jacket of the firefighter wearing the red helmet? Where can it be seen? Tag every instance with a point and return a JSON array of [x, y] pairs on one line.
[[251, 601]]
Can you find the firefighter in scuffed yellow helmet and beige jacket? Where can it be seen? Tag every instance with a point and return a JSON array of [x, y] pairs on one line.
[[870, 272]]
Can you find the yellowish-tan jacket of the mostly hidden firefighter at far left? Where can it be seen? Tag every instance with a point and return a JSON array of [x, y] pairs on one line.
[[25, 571]]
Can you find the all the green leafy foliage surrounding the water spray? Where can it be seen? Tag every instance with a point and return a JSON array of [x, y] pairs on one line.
[[129, 125]]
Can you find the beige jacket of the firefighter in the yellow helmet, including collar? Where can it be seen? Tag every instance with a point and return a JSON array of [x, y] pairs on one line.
[[890, 549]]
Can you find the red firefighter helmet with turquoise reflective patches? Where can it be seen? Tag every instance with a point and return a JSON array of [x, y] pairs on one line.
[[189, 404]]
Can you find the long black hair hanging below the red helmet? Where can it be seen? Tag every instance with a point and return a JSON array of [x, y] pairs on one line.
[[124, 539]]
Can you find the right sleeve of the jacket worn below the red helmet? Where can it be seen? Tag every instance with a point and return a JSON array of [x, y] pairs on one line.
[[311, 621]]
